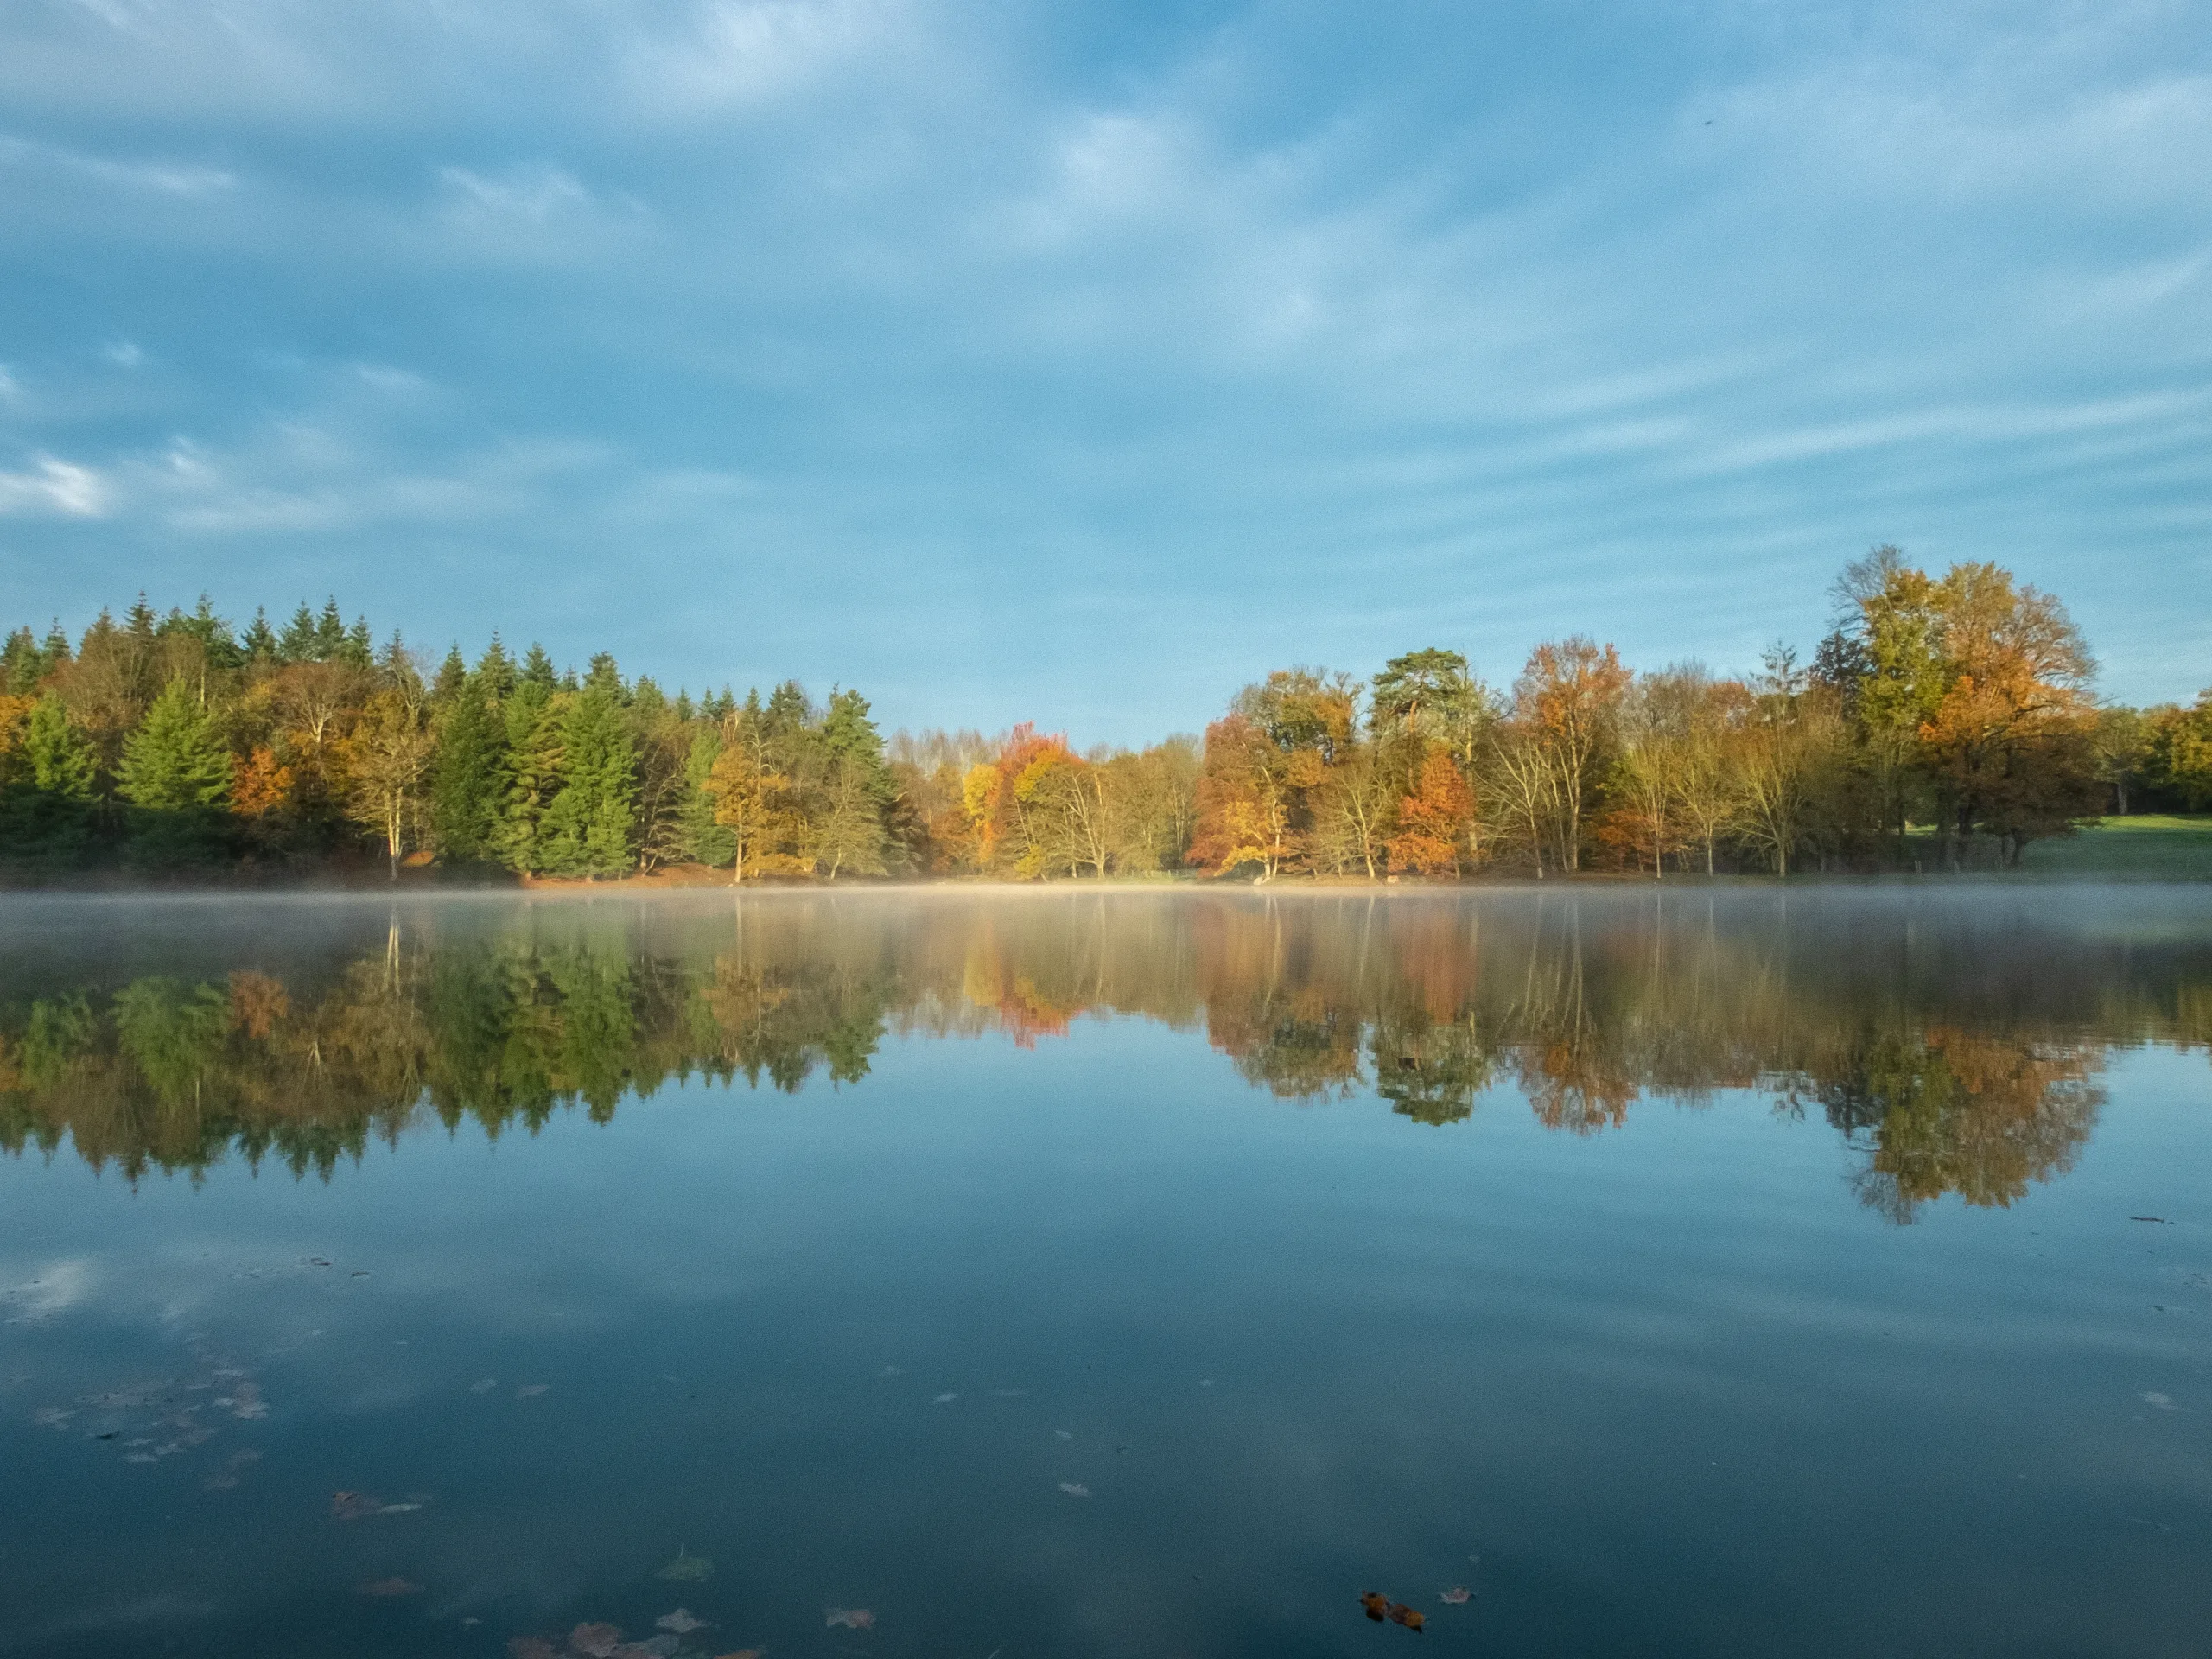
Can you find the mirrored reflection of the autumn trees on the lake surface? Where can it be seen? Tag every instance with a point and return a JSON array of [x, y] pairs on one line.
[[1954, 1043]]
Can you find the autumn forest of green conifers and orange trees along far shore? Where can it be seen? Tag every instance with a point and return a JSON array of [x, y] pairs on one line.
[[1945, 722]]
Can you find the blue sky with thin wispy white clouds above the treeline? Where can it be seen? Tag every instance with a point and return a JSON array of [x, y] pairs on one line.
[[1034, 359]]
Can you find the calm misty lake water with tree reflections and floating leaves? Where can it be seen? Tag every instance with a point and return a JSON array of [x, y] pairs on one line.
[[1136, 1273]]
